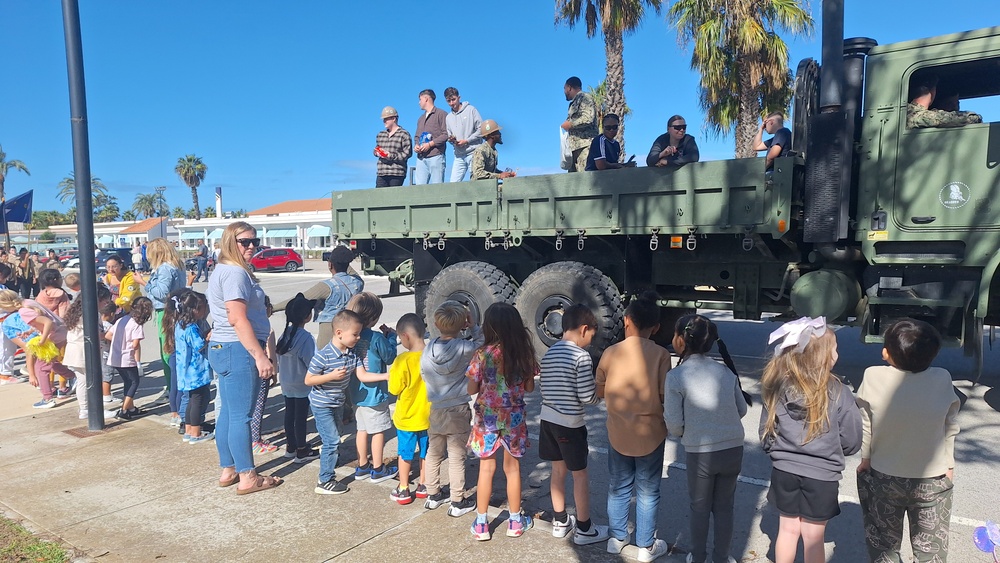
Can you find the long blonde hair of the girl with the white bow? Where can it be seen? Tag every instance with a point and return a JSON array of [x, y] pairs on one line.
[[805, 374]]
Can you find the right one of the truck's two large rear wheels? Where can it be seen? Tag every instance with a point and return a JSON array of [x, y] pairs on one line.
[[547, 292]]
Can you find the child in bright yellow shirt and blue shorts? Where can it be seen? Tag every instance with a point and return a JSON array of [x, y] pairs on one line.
[[412, 416]]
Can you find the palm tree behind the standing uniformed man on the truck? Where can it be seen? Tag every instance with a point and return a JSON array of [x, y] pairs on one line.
[[616, 19]]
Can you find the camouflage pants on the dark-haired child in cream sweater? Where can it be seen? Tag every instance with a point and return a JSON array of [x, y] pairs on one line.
[[886, 500]]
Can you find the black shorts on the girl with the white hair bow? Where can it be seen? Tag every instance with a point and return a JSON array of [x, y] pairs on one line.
[[808, 498]]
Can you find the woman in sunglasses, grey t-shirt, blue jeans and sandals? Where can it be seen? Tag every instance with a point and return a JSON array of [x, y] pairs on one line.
[[237, 354]]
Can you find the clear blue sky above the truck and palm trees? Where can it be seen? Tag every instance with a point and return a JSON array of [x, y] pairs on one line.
[[282, 100]]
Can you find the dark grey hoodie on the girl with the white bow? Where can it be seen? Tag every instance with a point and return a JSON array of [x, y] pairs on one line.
[[823, 457]]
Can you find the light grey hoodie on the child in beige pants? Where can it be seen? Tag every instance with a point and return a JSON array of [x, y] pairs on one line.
[[443, 365]]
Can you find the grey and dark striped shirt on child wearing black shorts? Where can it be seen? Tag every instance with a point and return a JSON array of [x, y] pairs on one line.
[[567, 383]]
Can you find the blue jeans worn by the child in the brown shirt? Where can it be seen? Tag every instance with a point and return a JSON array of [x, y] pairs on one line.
[[642, 476]]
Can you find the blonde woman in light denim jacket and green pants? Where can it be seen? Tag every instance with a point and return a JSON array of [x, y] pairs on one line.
[[167, 276]]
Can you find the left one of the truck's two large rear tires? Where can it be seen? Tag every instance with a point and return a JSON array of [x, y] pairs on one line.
[[476, 284]]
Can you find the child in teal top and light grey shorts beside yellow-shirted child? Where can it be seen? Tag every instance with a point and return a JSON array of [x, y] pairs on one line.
[[371, 400]]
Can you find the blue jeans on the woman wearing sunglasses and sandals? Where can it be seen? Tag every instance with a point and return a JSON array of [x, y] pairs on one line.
[[239, 382]]
